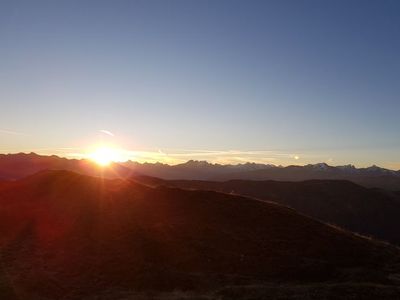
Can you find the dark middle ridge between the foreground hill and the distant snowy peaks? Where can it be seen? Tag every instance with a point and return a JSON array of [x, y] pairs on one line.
[[372, 212]]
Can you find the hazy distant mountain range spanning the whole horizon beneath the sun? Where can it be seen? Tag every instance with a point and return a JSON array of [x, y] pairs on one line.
[[15, 166]]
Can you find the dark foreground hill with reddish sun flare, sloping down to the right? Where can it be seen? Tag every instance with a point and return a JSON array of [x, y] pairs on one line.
[[69, 236]]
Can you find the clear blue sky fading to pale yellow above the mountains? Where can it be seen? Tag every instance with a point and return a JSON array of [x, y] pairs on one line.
[[285, 82]]
